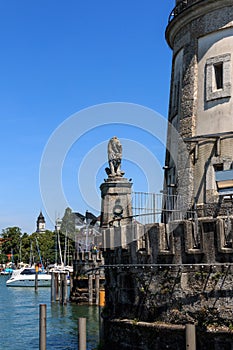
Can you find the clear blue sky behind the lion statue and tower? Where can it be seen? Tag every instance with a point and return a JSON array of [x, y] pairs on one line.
[[58, 58]]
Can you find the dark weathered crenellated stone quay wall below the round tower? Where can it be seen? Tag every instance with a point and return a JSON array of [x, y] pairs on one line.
[[174, 274]]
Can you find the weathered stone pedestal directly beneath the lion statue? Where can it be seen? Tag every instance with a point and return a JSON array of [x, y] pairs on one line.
[[116, 207]]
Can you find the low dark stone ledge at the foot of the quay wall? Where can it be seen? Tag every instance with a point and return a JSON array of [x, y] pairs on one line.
[[126, 335]]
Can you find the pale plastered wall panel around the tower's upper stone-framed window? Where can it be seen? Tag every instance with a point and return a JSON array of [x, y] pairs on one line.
[[214, 107]]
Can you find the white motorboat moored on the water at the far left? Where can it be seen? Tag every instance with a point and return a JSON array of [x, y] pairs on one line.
[[26, 276]]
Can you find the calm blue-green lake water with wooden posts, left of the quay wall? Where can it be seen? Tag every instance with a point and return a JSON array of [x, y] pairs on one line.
[[19, 320]]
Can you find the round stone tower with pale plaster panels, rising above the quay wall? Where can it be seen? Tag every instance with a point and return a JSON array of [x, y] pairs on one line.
[[200, 33]]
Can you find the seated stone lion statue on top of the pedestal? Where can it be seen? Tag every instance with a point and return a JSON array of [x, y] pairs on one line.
[[114, 157]]
